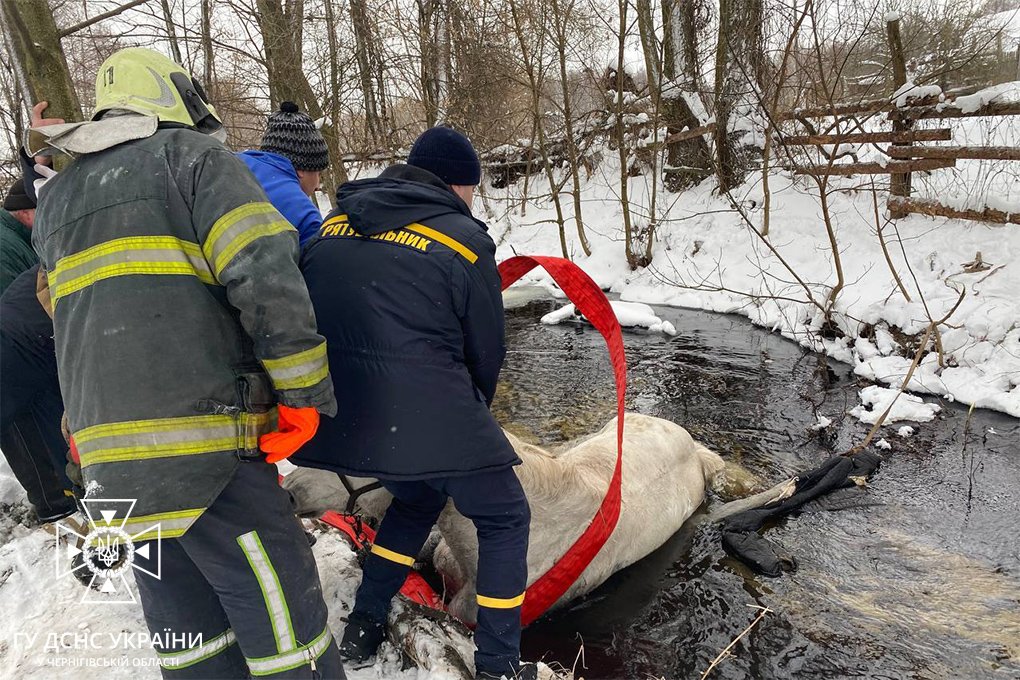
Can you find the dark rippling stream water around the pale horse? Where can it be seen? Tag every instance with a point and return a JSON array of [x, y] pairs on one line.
[[916, 578]]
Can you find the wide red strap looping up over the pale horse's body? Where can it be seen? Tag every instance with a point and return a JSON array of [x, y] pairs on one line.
[[592, 302]]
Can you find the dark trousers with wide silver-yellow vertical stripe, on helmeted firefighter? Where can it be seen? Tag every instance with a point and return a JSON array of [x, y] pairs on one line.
[[239, 594]]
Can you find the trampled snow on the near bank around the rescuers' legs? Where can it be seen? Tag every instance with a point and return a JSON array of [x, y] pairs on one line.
[[103, 641]]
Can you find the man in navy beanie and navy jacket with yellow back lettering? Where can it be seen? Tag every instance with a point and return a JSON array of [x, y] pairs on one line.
[[406, 292]]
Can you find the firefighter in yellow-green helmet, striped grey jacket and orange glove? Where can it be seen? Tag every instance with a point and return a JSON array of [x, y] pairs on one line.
[[181, 323]]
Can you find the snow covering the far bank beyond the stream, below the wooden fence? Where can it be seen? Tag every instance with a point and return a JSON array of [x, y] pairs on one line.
[[707, 256]]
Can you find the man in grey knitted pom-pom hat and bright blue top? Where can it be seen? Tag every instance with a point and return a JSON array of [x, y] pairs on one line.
[[289, 167]]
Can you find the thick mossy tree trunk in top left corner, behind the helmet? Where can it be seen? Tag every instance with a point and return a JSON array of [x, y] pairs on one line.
[[34, 44]]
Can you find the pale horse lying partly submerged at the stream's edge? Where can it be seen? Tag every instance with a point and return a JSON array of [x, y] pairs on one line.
[[667, 475]]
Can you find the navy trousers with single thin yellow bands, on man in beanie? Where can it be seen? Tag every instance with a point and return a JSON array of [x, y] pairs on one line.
[[496, 504]]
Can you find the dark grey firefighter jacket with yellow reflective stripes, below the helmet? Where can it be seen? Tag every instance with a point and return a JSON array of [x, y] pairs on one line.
[[181, 320]]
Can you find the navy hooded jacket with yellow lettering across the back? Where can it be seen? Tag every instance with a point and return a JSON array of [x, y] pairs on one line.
[[407, 295]]
